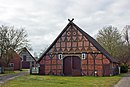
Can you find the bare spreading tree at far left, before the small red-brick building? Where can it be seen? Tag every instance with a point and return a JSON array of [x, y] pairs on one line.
[[11, 39]]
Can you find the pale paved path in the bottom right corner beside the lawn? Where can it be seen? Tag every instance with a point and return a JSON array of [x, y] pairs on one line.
[[124, 82]]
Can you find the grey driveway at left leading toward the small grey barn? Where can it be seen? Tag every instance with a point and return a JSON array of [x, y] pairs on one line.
[[5, 78]]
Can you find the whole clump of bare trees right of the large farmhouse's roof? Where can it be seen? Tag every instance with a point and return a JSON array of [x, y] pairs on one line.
[[110, 38]]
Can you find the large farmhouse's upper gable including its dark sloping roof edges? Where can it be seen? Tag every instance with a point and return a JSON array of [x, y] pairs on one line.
[[74, 40]]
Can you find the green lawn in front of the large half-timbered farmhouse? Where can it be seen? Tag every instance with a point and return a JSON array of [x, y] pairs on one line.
[[61, 81]]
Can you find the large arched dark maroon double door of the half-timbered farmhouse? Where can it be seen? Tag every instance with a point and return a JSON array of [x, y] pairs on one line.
[[72, 66]]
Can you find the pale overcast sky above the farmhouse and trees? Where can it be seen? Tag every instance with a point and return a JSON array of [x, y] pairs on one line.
[[45, 19]]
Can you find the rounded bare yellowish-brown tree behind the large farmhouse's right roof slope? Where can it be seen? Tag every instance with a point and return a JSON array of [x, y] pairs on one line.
[[110, 38]]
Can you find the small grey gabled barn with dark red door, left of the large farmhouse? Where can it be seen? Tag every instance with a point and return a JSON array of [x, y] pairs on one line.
[[28, 60]]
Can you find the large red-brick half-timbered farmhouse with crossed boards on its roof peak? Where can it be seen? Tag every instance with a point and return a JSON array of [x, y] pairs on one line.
[[75, 53]]
